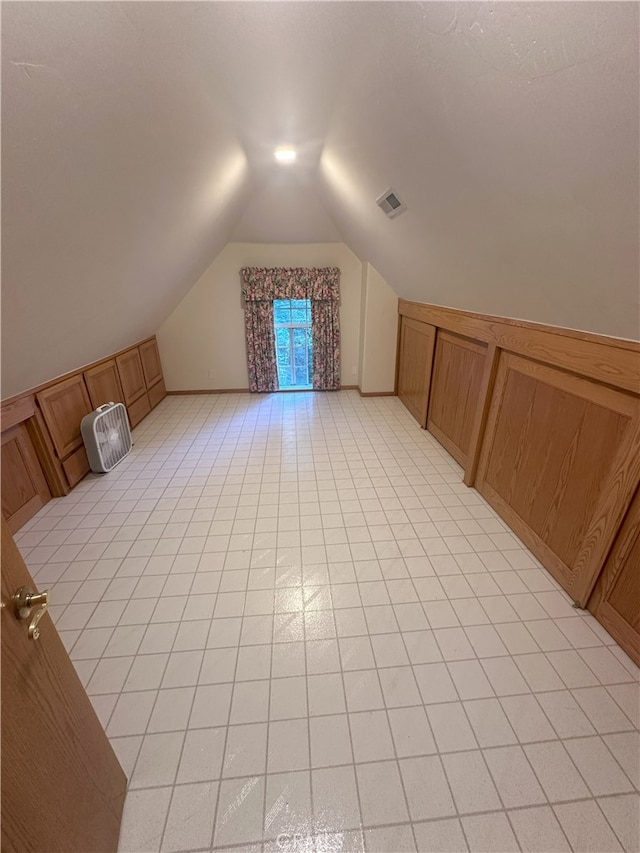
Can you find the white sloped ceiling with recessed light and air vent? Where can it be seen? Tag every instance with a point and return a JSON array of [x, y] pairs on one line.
[[137, 141]]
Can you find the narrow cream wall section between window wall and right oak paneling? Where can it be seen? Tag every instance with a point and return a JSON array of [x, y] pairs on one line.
[[379, 334]]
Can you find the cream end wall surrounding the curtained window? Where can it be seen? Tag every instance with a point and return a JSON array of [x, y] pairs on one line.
[[202, 343]]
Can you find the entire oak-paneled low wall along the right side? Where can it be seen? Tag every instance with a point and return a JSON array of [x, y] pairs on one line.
[[546, 424]]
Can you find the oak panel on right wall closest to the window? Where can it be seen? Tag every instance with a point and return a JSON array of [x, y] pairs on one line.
[[415, 357]]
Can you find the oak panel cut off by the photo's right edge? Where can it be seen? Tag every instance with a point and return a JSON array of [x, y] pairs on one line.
[[616, 599]]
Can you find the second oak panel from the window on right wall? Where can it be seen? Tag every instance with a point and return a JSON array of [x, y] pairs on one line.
[[456, 382]]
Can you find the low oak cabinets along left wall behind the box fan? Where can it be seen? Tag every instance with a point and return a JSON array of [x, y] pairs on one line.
[[43, 452]]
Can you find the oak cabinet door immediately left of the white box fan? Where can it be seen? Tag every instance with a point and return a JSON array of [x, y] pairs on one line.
[[63, 406]]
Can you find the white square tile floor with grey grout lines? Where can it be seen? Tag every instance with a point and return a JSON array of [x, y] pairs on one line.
[[302, 632]]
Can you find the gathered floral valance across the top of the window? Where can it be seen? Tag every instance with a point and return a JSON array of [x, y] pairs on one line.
[[265, 284]]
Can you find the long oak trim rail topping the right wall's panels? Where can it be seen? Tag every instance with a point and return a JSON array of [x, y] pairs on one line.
[[613, 361]]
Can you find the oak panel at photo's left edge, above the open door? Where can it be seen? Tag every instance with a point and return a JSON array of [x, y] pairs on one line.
[[24, 487]]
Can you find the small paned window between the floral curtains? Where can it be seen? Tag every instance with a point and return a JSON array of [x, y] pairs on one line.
[[292, 323]]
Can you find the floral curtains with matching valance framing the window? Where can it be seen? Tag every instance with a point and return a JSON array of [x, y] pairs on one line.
[[321, 285]]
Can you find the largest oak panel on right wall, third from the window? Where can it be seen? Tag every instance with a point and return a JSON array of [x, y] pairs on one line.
[[551, 450]]
